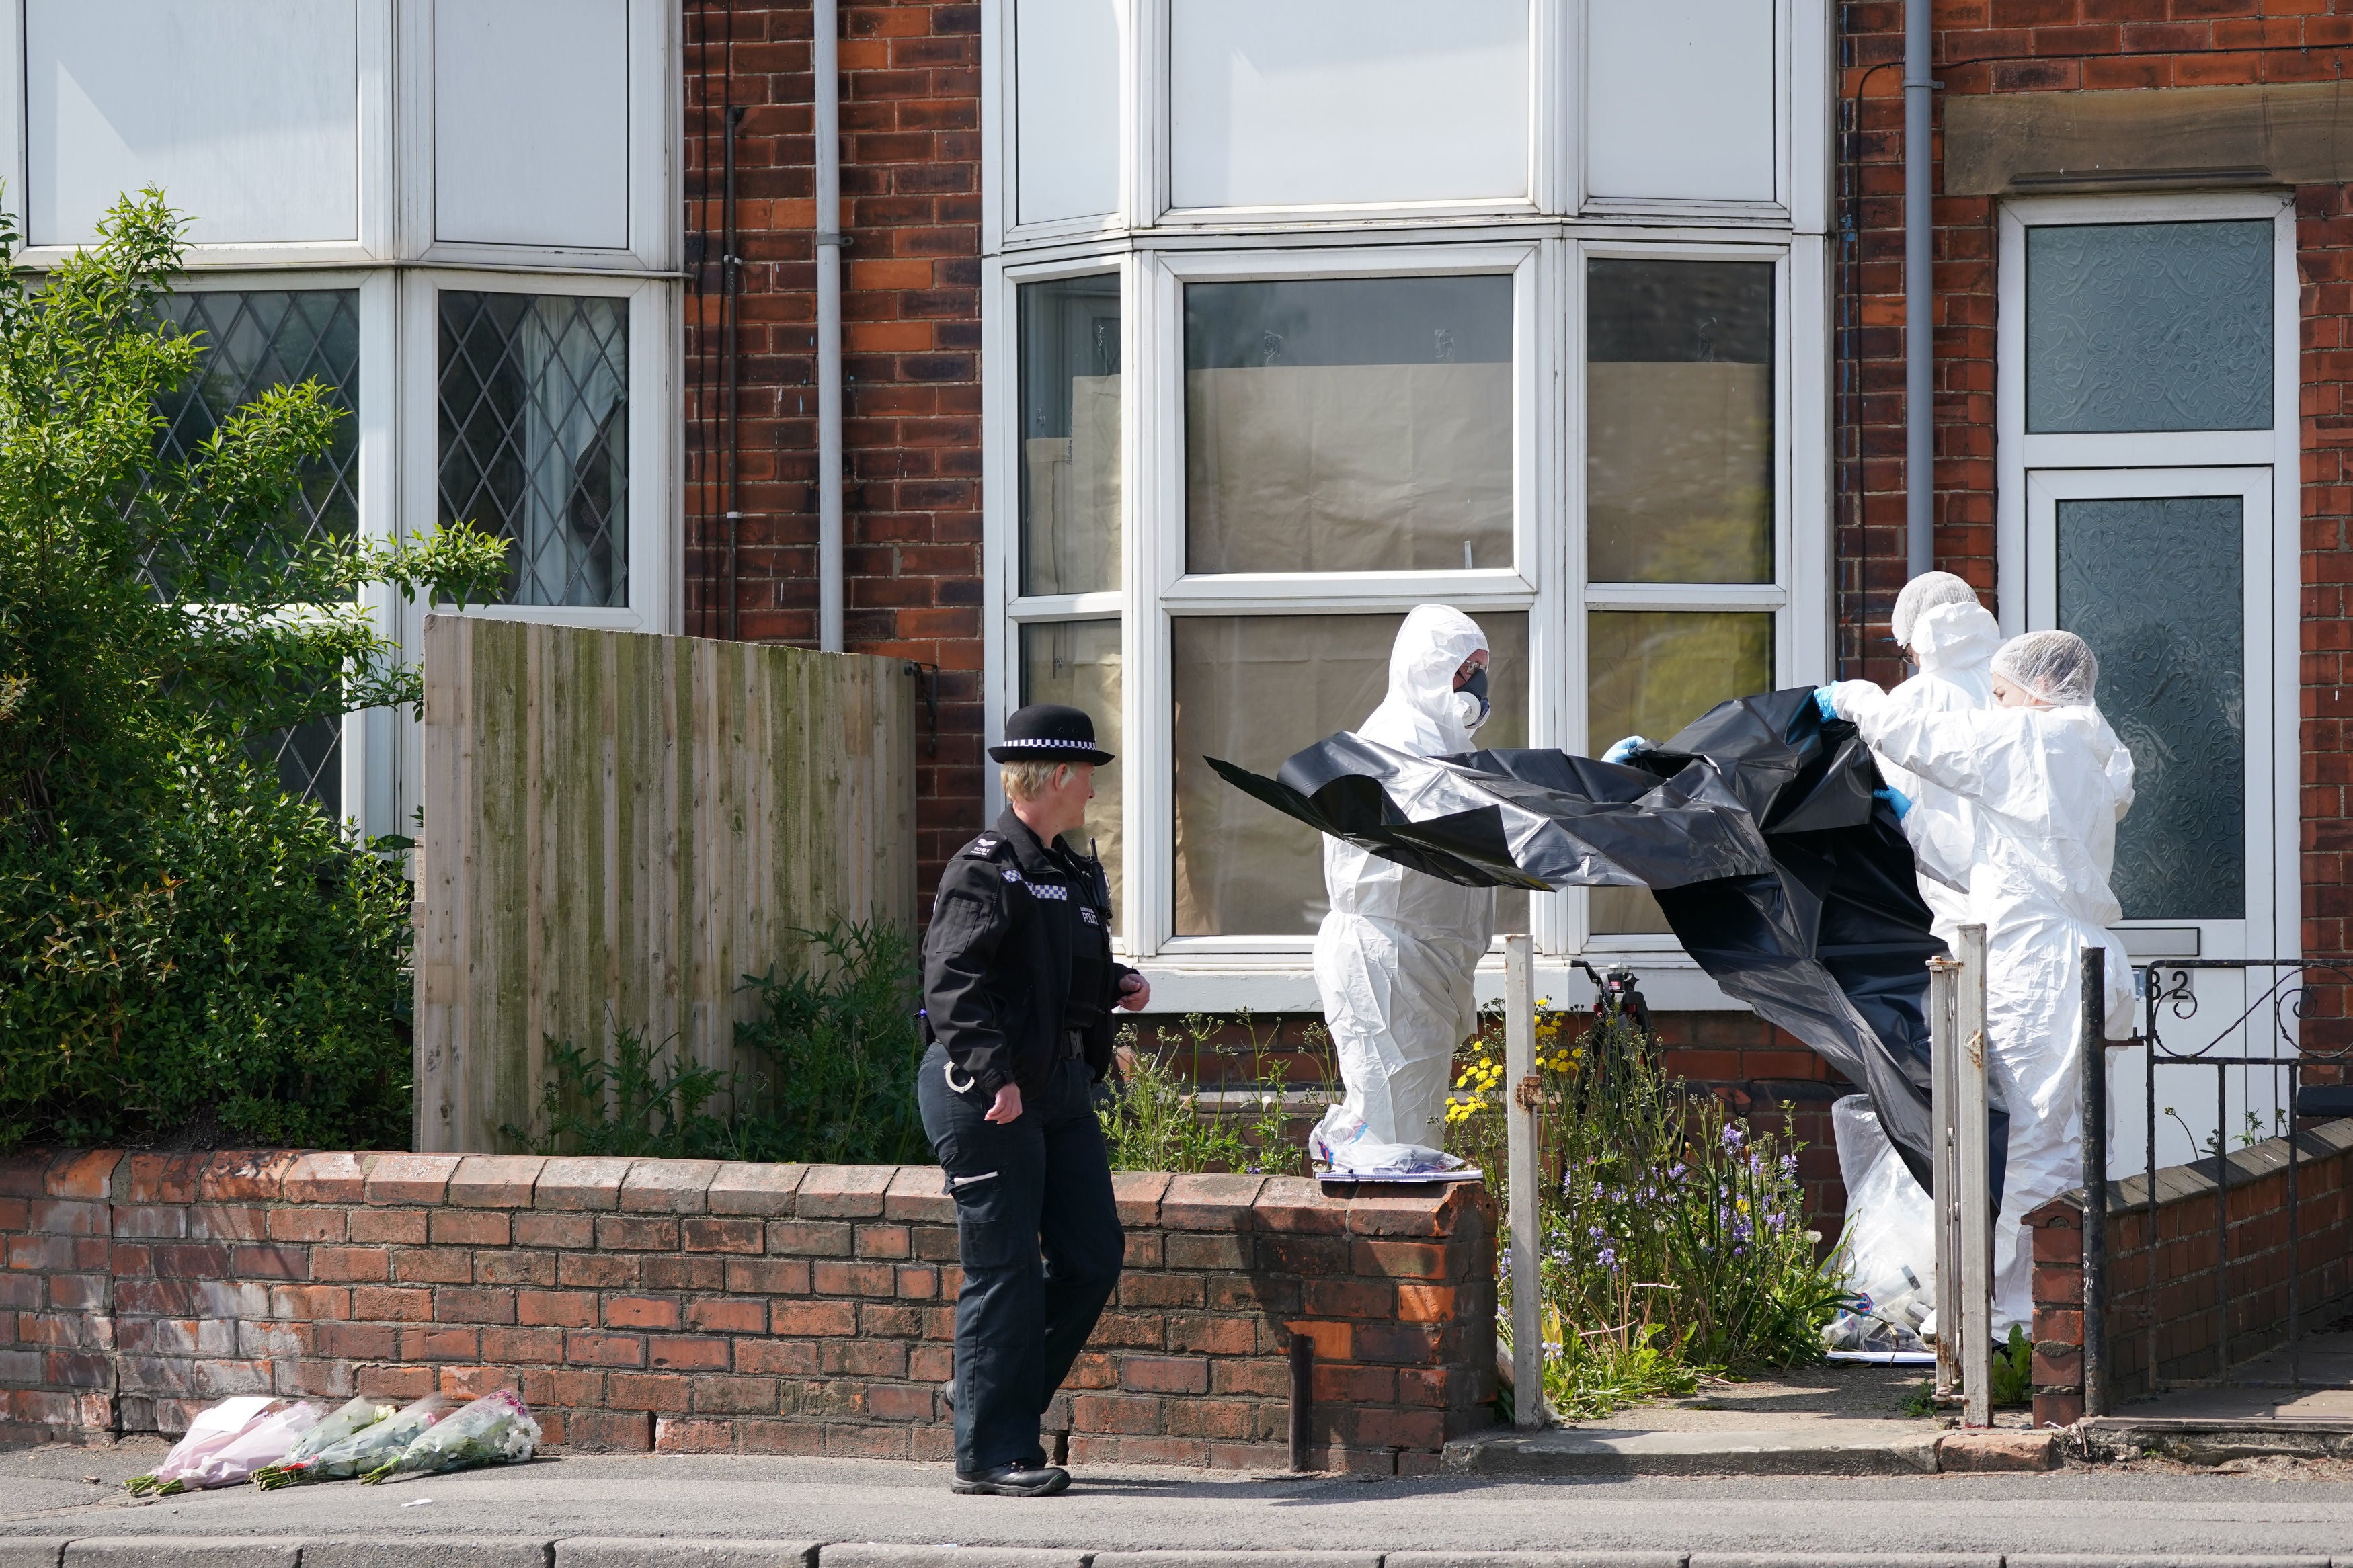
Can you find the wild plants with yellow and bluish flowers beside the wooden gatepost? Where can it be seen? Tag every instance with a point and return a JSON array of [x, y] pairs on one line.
[[1674, 1235]]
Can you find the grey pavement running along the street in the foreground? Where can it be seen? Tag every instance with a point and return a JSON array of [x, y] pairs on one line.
[[672, 1510]]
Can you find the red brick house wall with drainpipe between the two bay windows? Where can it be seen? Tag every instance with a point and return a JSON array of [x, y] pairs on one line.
[[912, 342]]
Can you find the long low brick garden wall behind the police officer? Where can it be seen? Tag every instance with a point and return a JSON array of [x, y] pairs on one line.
[[721, 1308]]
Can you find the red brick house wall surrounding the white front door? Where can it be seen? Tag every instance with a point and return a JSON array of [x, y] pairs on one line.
[[2081, 46]]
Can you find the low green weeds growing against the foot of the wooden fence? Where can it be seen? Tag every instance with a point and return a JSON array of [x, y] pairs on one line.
[[839, 1052]]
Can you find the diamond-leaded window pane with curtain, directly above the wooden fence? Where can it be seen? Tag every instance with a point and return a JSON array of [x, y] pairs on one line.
[[535, 438]]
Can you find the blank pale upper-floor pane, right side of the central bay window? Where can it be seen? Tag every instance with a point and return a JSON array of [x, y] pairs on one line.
[[1681, 100]]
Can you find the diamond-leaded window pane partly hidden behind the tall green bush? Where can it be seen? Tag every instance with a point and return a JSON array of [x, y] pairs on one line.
[[260, 340]]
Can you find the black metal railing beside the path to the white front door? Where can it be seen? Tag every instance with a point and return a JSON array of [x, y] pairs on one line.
[[2262, 1038]]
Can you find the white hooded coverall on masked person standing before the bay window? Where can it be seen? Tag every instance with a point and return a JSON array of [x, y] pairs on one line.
[[1397, 951]]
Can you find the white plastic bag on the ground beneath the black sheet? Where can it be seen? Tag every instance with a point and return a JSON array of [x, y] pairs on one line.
[[1891, 1240]]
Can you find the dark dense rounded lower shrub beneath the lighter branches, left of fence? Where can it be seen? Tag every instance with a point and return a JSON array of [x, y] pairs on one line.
[[227, 963]]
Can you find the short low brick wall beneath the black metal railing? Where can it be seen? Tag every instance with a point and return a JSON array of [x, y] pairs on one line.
[[2168, 1301]]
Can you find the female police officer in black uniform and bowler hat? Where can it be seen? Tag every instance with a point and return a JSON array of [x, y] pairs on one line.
[[1018, 989]]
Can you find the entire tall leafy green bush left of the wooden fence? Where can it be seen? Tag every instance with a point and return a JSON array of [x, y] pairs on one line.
[[185, 944]]
